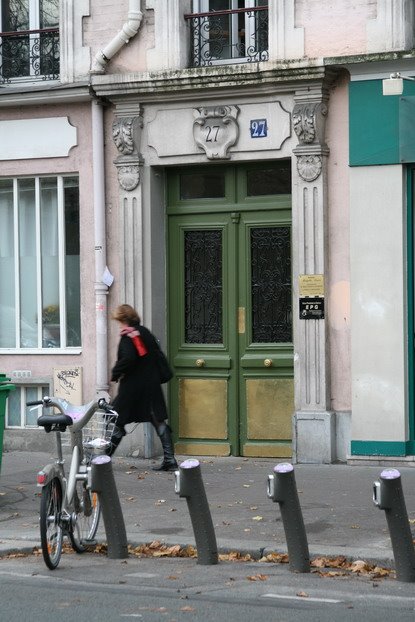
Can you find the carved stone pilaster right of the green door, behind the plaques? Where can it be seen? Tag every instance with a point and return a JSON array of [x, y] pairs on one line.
[[313, 422]]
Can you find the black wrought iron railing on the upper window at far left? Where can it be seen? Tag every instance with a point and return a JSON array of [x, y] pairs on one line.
[[29, 54]]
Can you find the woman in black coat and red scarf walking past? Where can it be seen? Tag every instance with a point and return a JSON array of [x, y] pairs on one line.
[[140, 397]]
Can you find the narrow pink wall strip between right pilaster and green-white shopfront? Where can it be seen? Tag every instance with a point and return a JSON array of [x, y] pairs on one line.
[[338, 248]]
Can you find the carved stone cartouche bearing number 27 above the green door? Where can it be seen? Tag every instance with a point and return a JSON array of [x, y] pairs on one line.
[[215, 130]]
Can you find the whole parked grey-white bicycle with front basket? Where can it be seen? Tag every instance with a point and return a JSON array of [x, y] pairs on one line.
[[68, 506]]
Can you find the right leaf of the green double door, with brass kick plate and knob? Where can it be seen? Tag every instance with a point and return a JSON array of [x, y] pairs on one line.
[[265, 353]]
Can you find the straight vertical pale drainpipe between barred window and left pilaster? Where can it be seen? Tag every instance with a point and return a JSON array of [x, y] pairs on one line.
[[101, 290]]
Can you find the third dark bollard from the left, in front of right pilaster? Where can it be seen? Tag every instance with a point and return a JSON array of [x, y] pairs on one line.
[[282, 488]]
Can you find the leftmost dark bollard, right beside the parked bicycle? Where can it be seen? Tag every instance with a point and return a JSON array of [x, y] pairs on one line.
[[103, 482]]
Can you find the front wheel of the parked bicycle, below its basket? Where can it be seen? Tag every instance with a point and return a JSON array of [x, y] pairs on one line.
[[88, 511]]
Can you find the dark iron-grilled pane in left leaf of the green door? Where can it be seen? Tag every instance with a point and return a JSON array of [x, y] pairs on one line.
[[203, 286]]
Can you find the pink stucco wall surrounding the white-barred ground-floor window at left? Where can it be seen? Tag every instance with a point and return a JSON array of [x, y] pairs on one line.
[[78, 162]]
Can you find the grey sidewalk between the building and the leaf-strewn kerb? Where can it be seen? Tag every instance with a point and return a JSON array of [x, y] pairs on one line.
[[336, 500]]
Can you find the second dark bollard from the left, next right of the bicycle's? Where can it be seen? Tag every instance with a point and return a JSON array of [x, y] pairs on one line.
[[189, 484]]
